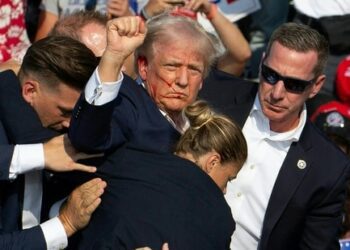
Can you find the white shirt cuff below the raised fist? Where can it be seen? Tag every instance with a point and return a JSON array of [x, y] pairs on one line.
[[99, 93]]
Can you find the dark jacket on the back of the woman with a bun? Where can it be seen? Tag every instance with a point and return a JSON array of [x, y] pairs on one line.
[[152, 198]]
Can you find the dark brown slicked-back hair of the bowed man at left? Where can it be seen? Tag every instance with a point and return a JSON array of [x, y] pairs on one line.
[[57, 59]]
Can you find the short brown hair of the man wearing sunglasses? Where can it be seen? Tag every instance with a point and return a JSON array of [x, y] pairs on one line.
[[301, 38]]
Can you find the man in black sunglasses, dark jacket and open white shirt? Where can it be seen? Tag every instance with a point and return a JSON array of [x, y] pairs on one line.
[[290, 192]]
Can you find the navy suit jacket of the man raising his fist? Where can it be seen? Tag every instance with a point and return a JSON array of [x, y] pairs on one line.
[[131, 118]]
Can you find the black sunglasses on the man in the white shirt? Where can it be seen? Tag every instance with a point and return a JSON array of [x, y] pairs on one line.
[[290, 83]]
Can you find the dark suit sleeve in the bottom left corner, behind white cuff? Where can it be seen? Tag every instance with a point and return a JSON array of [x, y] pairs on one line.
[[29, 239]]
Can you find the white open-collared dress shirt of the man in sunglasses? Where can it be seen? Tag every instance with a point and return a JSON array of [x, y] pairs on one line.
[[249, 194]]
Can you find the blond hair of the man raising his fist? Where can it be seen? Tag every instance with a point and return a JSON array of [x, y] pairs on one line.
[[166, 28]]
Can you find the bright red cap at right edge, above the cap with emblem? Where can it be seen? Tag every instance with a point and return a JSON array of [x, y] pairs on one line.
[[342, 81]]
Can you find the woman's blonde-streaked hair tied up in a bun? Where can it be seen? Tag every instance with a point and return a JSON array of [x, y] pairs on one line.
[[212, 132]]
